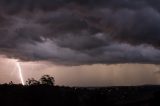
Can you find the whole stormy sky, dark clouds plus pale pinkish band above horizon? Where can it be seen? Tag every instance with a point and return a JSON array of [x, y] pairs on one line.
[[81, 42]]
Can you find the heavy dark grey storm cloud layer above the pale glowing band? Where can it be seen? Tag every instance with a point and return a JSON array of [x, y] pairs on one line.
[[81, 32]]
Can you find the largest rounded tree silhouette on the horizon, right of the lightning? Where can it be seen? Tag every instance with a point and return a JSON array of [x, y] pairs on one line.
[[47, 80]]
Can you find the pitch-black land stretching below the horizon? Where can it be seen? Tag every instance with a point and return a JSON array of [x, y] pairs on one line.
[[44, 95]]
